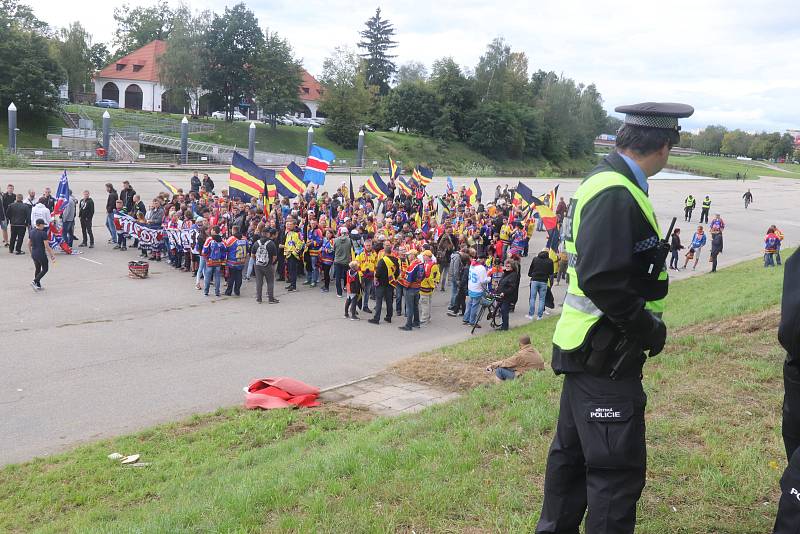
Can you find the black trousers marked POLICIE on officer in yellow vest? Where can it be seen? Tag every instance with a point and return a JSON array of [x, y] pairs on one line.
[[598, 456]]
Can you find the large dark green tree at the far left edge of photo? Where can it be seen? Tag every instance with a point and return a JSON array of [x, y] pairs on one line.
[[29, 72]]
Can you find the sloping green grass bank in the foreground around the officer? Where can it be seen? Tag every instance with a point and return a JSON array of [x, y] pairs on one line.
[[475, 464]]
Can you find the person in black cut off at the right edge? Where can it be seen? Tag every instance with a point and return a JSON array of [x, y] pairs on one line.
[[788, 520]]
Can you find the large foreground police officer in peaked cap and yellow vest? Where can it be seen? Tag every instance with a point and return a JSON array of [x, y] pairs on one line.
[[610, 318]]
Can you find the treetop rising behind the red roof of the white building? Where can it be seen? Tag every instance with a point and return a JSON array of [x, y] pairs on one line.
[[140, 25]]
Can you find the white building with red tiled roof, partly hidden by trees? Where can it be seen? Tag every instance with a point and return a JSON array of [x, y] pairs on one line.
[[133, 82]]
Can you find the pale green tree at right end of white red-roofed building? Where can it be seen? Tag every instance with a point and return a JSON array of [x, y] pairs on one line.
[[180, 67]]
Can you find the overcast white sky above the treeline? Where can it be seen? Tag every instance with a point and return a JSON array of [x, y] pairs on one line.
[[735, 61]]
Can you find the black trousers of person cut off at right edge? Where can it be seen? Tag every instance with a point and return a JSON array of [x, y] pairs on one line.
[[788, 519]]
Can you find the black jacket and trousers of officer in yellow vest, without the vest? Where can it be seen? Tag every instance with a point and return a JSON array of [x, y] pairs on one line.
[[602, 464]]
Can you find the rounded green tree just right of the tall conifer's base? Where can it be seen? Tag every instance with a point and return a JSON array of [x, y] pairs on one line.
[[413, 107]]
